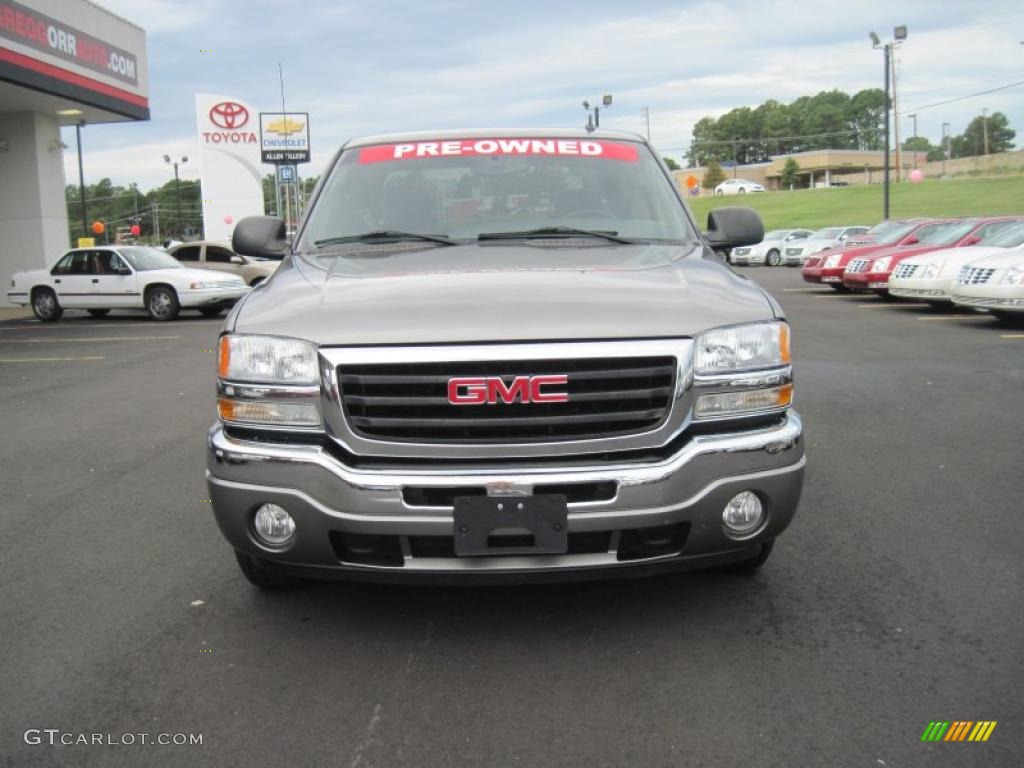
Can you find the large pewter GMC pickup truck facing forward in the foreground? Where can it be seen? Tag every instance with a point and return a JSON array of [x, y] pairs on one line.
[[502, 356]]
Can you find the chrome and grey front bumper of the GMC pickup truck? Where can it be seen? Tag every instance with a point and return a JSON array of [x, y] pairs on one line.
[[325, 496]]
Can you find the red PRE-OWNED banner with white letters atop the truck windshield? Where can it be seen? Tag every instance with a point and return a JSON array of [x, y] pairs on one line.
[[484, 147]]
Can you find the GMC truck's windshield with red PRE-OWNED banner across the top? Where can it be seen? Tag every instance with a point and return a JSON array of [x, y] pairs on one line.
[[464, 189]]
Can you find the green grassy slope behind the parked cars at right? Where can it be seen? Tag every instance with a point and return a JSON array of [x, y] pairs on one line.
[[863, 205]]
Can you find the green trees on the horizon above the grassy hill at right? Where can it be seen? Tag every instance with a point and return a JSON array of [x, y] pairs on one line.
[[831, 120]]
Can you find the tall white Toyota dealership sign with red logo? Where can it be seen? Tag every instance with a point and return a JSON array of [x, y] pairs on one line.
[[233, 183]]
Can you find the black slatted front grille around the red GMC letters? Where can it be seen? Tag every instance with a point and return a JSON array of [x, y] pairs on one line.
[[410, 402]]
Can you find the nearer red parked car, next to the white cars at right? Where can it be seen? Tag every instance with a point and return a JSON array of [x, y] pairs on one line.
[[871, 274]]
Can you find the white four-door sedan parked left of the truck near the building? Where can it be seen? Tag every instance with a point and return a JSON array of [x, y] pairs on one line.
[[123, 278]]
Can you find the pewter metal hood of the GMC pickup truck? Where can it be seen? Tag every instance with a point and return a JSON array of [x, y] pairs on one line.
[[502, 292]]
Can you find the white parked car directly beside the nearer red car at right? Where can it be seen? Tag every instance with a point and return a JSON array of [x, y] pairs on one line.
[[931, 277]]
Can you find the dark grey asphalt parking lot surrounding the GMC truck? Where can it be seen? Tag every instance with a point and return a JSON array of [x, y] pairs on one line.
[[895, 599]]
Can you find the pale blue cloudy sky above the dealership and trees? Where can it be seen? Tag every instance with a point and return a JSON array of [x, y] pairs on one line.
[[362, 68]]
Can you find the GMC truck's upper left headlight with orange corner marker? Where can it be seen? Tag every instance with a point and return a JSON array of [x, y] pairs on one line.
[[268, 360]]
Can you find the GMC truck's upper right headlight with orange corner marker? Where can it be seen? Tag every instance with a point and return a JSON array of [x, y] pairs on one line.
[[738, 349]]
